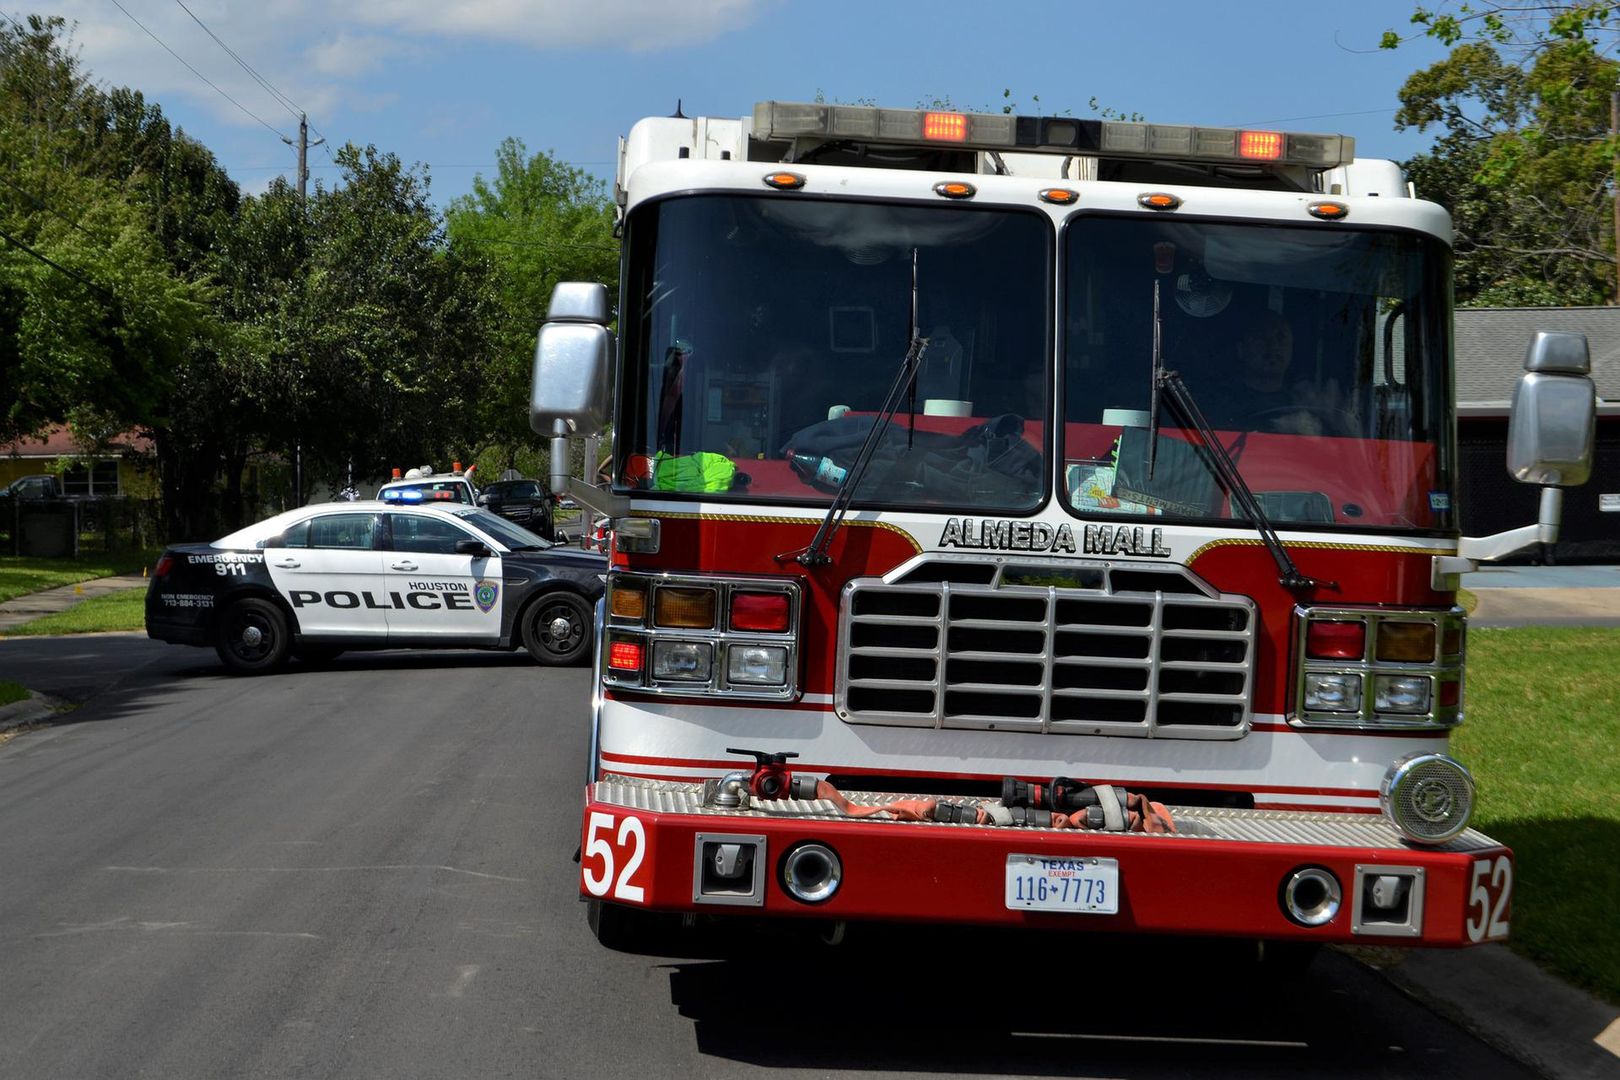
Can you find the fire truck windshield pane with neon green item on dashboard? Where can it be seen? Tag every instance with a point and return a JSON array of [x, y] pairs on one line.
[[762, 336]]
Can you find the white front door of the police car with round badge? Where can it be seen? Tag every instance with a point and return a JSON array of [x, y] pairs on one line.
[[441, 595]]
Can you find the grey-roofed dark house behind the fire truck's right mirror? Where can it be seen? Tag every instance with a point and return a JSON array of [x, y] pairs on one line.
[[1491, 346]]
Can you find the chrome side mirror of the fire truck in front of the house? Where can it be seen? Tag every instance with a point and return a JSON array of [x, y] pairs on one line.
[[1554, 419]]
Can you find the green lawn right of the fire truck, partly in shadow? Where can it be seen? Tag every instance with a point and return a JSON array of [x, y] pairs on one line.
[[1541, 738]]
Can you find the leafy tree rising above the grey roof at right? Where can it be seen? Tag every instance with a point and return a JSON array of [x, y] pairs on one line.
[[1525, 159]]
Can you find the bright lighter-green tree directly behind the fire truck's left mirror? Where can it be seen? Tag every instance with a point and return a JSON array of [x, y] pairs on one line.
[[537, 223]]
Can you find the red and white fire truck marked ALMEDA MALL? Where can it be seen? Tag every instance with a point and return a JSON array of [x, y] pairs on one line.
[[1033, 522]]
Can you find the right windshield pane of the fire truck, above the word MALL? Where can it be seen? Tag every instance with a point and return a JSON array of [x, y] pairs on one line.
[[1318, 355]]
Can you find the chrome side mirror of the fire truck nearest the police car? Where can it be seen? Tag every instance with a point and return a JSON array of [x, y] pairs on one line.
[[573, 360]]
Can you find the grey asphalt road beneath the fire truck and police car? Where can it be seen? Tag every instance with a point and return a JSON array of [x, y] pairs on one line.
[[367, 872]]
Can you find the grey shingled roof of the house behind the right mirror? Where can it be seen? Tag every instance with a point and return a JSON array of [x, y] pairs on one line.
[[1491, 346]]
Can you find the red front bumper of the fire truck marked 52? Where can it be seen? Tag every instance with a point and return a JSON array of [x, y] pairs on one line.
[[1222, 872]]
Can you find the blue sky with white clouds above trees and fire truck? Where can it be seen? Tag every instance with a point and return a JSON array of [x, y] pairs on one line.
[[445, 82]]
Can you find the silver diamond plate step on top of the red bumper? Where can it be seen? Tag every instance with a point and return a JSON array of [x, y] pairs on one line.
[[1193, 823]]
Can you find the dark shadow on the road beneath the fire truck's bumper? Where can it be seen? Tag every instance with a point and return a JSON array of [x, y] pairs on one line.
[[989, 1003]]
